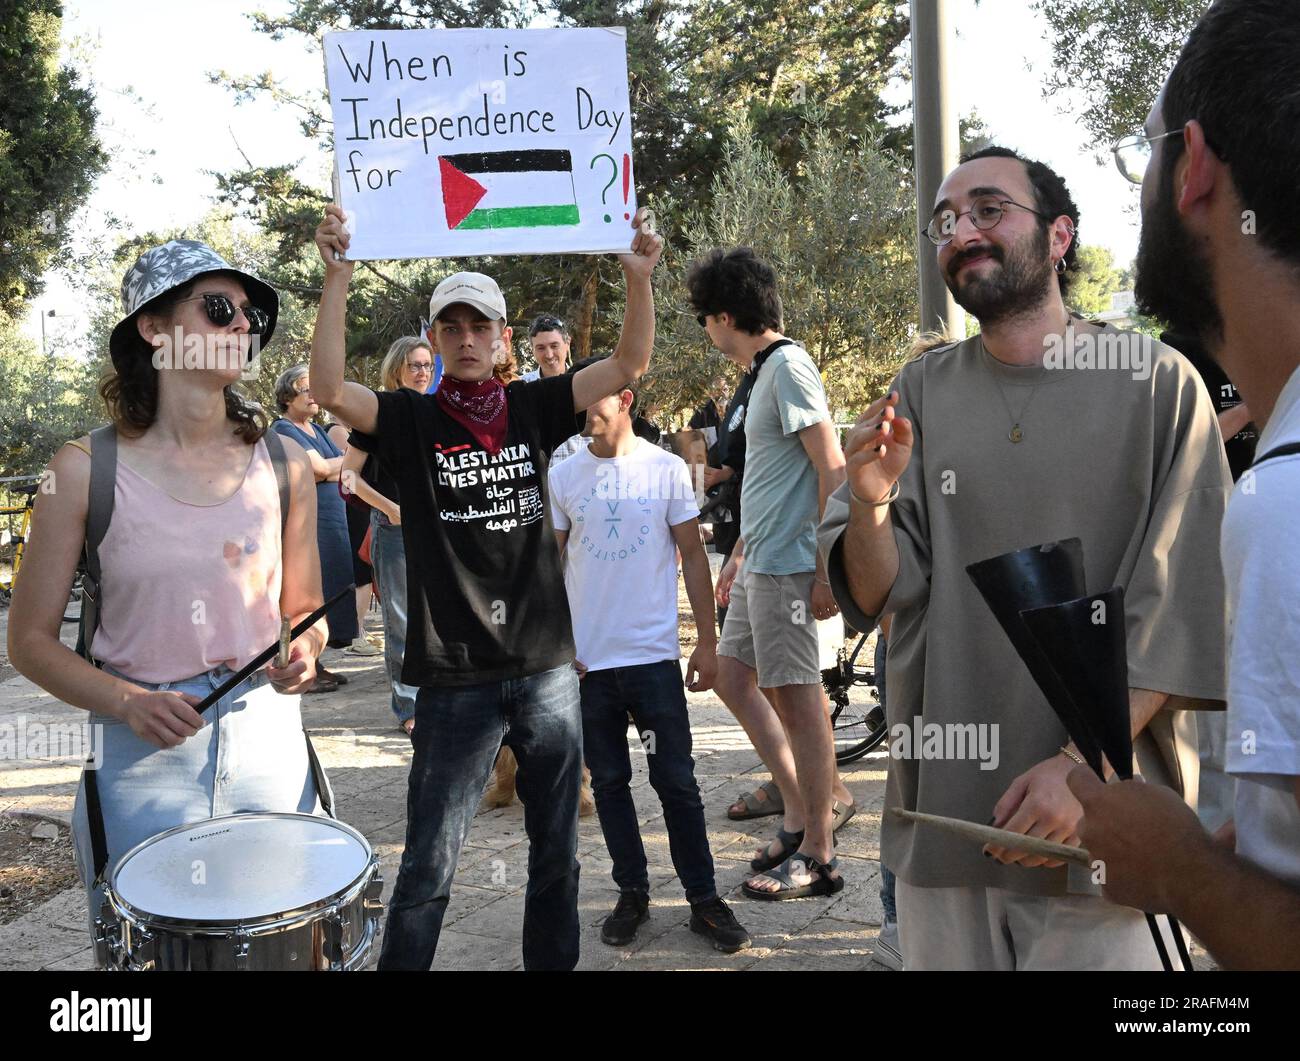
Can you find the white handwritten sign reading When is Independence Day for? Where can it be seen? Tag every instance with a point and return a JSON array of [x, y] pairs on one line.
[[450, 144]]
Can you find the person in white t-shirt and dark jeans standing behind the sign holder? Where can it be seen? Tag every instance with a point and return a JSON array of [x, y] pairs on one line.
[[622, 509]]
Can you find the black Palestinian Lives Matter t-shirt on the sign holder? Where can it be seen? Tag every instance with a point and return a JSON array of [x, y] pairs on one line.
[[486, 594]]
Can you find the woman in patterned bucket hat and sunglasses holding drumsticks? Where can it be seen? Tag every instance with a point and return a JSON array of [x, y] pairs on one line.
[[197, 566]]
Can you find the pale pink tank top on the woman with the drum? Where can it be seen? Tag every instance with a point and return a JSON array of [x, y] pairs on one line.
[[190, 587]]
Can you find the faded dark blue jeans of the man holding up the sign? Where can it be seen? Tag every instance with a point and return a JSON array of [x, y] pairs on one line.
[[458, 733]]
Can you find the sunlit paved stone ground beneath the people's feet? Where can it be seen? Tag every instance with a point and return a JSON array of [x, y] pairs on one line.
[[369, 759]]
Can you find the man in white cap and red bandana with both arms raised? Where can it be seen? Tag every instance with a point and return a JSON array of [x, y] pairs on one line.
[[489, 638]]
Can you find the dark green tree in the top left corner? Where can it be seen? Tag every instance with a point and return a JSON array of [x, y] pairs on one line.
[[49, 151]]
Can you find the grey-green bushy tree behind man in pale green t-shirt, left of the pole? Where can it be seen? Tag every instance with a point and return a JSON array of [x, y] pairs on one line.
[[840, 237]]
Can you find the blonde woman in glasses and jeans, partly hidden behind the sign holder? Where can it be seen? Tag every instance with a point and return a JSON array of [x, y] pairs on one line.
[[408, 365]]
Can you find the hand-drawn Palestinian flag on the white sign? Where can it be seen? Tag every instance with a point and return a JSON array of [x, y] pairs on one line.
[[509, 189]]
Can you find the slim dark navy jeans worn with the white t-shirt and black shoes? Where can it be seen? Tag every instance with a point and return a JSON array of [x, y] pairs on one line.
[[655, 698]]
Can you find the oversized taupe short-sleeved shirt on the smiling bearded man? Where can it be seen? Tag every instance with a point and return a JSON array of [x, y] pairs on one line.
[[1133, 467]]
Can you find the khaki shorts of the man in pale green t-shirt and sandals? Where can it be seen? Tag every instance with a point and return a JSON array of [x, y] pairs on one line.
[[772, 630]]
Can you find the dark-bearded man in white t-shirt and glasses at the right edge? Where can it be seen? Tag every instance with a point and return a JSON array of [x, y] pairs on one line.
[[1220, 253]]
